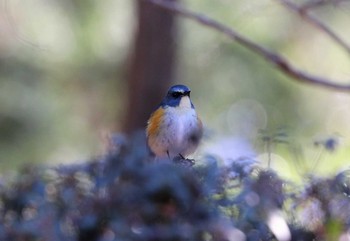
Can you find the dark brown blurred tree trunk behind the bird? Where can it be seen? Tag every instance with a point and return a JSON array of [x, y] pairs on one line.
[[151, 63]]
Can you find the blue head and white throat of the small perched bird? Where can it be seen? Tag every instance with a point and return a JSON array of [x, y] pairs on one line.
[[178, 95]]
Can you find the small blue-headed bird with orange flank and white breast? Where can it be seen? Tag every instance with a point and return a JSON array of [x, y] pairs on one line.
[[174, 129]]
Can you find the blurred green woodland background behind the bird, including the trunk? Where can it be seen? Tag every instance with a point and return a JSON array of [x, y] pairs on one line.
[[72, 72]]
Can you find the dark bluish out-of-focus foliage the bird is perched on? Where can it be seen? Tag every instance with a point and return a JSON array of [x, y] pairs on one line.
[[126, 196]]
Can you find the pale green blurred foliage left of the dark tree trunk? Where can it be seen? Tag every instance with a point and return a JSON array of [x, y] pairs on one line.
[[60, 79]]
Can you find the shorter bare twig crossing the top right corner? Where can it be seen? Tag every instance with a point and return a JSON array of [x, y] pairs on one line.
[[305, 14]]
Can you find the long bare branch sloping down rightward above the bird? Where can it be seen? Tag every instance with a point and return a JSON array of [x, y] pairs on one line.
[[282, 64]]
